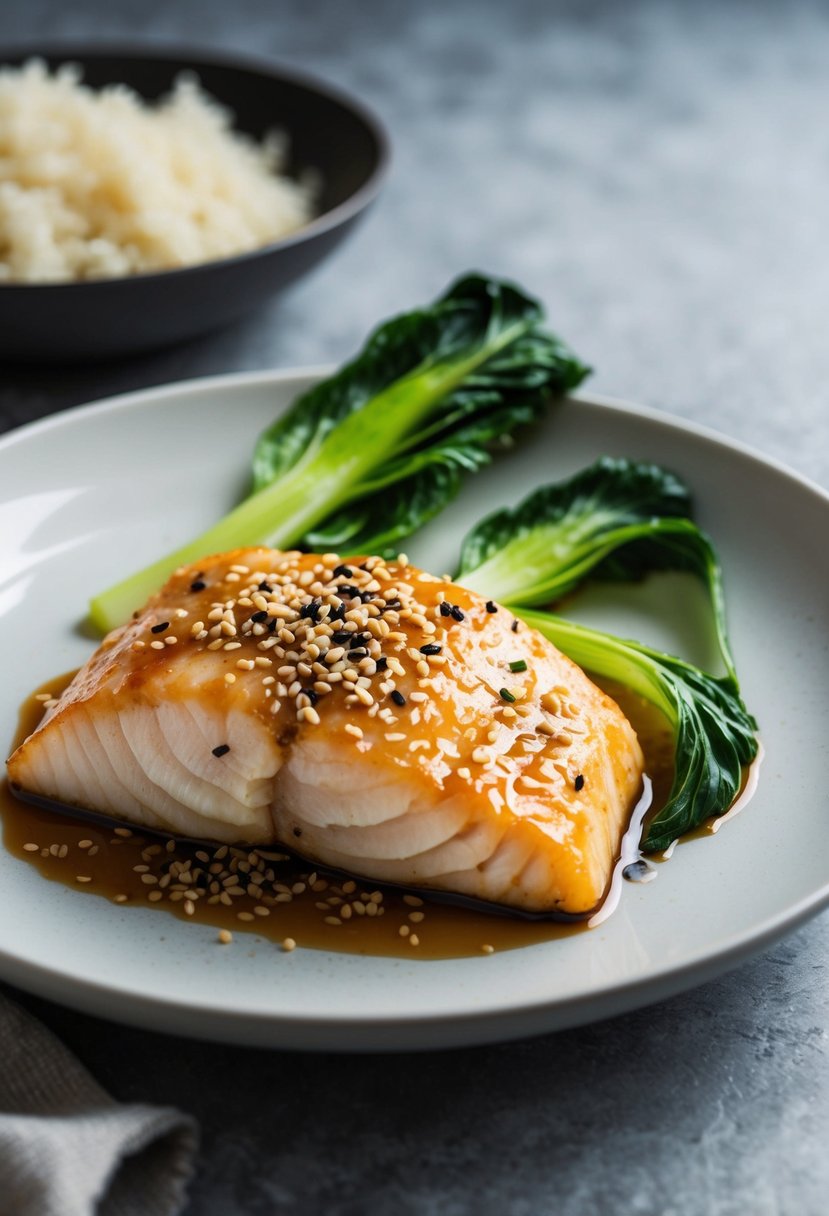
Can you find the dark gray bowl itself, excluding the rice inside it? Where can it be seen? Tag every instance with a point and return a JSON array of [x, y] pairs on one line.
[[329, 133]]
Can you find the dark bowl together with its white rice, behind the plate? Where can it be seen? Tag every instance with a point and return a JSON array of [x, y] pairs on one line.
[[149, 198]]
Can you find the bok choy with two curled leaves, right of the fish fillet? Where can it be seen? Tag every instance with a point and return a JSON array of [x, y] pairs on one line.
[[621, 520]]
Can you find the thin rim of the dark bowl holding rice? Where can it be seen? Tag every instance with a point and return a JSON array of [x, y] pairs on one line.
[[75, 50]]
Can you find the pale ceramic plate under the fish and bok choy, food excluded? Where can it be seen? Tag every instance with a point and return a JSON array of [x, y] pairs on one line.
[[91, 496]]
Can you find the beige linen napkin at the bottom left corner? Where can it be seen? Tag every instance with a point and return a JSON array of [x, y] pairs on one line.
[[67, 1150]]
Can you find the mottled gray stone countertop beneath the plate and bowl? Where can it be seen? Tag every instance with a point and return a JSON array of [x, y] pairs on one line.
[[659, 174]]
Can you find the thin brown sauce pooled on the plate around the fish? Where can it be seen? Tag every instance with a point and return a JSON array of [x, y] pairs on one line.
[[442, 928]]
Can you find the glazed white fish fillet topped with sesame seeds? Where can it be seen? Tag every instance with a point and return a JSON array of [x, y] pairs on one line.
[[371, 717]]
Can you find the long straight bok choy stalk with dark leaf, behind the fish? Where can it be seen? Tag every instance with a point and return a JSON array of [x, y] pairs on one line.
[[368, 457]]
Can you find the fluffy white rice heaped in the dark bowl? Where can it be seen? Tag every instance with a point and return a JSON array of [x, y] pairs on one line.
[[97, 185]]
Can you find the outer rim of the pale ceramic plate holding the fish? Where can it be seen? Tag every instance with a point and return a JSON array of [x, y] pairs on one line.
[[401, 1031]]
